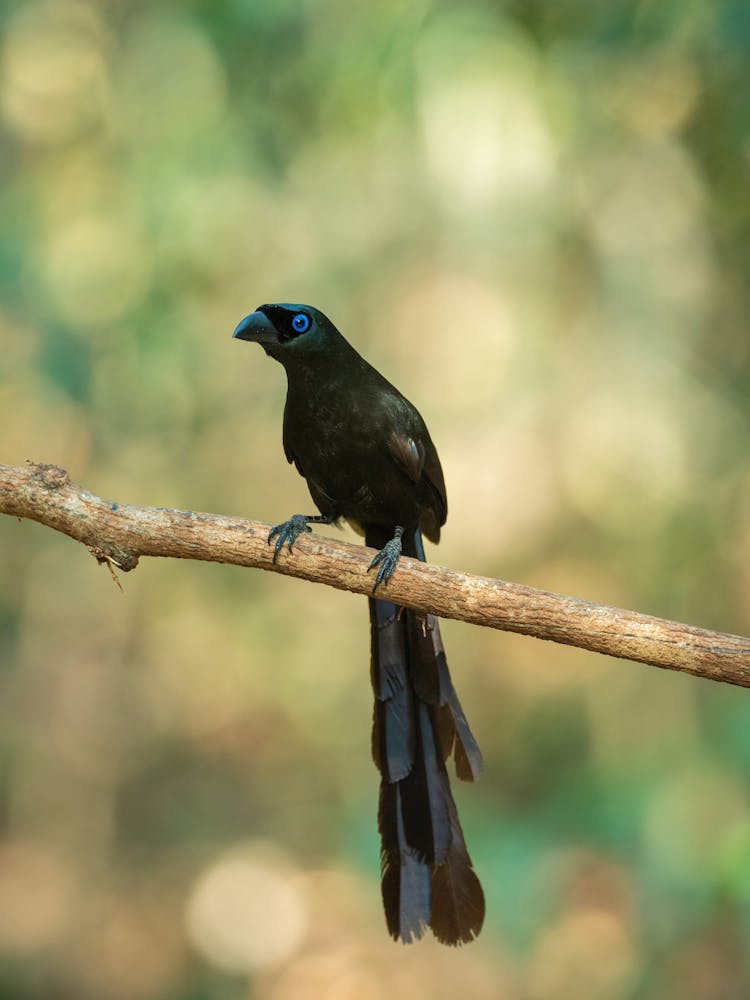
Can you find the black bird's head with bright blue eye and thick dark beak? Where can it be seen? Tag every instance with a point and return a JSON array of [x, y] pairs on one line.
[[288, 332]]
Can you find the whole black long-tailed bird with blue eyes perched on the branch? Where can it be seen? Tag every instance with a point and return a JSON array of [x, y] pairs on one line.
[[367, 457]]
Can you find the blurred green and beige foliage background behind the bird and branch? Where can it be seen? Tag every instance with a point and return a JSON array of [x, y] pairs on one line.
[[535, 219]]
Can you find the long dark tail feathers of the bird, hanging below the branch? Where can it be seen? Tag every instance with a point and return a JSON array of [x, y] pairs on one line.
[[427, 876]]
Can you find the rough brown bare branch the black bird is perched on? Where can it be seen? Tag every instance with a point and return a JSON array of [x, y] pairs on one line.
[[119, 534]]
